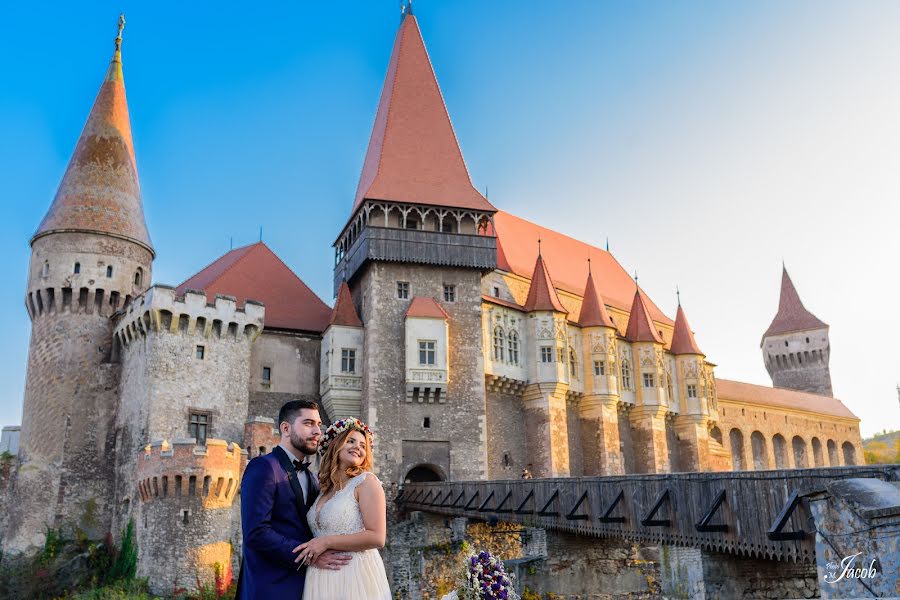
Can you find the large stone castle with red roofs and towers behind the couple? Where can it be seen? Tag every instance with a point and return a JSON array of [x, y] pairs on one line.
[[475, 343]]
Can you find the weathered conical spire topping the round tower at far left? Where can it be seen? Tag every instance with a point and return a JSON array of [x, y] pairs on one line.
[[100, 192]]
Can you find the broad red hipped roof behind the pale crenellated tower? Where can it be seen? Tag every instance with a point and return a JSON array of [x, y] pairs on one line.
[[254, 272]]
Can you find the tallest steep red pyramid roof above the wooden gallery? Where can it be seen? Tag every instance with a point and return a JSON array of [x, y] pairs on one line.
[[413, 153]]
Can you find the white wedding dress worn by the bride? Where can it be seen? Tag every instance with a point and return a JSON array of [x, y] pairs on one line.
[[363, 578]]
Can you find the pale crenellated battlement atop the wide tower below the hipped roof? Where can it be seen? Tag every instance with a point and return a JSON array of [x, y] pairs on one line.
[[160, 309]]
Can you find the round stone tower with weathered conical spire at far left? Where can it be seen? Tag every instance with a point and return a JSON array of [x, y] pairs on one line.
[[90, 256]]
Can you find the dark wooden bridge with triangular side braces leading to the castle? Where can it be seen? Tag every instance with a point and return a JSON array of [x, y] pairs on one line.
[[760, 514]]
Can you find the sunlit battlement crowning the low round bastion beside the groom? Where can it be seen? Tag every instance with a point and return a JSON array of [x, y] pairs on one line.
[[183, 469]]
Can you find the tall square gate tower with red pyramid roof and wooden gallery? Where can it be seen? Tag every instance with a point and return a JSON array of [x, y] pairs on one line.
[[413, 252]]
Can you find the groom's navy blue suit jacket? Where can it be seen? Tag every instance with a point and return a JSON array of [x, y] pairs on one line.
[[274, 523]]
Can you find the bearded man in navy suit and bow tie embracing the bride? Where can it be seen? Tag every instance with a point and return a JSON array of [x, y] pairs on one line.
[[276, 492]]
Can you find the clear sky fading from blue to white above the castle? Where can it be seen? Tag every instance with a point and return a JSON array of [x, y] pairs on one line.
[[707, 140]]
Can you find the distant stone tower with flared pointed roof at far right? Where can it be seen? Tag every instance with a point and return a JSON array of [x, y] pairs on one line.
[[795, 346]]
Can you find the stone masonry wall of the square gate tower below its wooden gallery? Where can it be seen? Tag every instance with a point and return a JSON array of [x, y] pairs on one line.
[[457, 423]]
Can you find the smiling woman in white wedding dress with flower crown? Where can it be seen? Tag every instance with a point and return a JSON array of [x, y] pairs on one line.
[[348, 515]]
